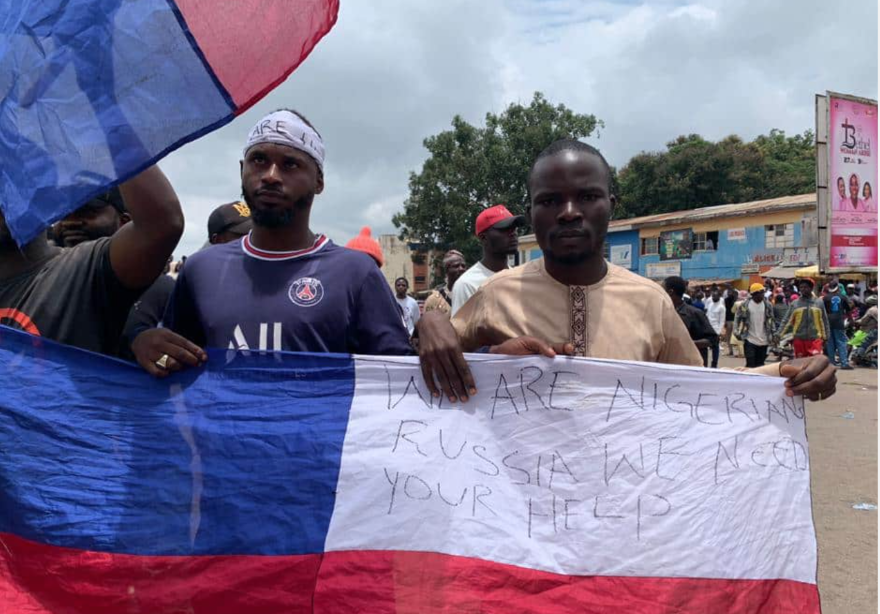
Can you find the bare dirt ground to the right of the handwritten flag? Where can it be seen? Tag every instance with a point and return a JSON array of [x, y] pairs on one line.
[[843, 464]]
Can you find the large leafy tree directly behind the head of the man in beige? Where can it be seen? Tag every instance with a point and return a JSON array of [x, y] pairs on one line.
[[470, 168]]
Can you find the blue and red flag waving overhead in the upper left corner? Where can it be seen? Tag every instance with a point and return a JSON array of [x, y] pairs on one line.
[[94, 91]]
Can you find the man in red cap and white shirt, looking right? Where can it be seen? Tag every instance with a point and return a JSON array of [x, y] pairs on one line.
[[496, 229]]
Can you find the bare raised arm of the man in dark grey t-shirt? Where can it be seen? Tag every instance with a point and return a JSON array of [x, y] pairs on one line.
[[140, 249]]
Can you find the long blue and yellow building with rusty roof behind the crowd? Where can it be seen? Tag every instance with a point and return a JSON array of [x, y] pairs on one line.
[[738, 243]]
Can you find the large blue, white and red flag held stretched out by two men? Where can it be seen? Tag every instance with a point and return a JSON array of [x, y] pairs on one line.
[[328, 483]]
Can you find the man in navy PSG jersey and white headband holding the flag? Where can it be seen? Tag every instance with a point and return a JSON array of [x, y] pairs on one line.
[[282, 286]]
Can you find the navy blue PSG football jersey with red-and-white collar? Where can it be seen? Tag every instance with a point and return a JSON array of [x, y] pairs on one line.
[[322, 299]]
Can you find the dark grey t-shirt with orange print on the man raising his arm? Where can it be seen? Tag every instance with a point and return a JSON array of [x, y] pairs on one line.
[[72, 297]]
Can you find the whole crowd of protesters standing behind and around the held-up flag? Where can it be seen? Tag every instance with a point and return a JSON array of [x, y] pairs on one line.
[[265, 281]]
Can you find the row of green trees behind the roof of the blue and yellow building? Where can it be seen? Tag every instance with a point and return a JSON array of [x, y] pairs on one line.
[[694, 172]]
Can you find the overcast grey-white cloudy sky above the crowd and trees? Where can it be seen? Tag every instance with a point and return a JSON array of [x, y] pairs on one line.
[[391, 73]]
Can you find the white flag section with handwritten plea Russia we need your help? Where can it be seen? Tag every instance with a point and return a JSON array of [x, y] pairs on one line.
[[581, 467]]
